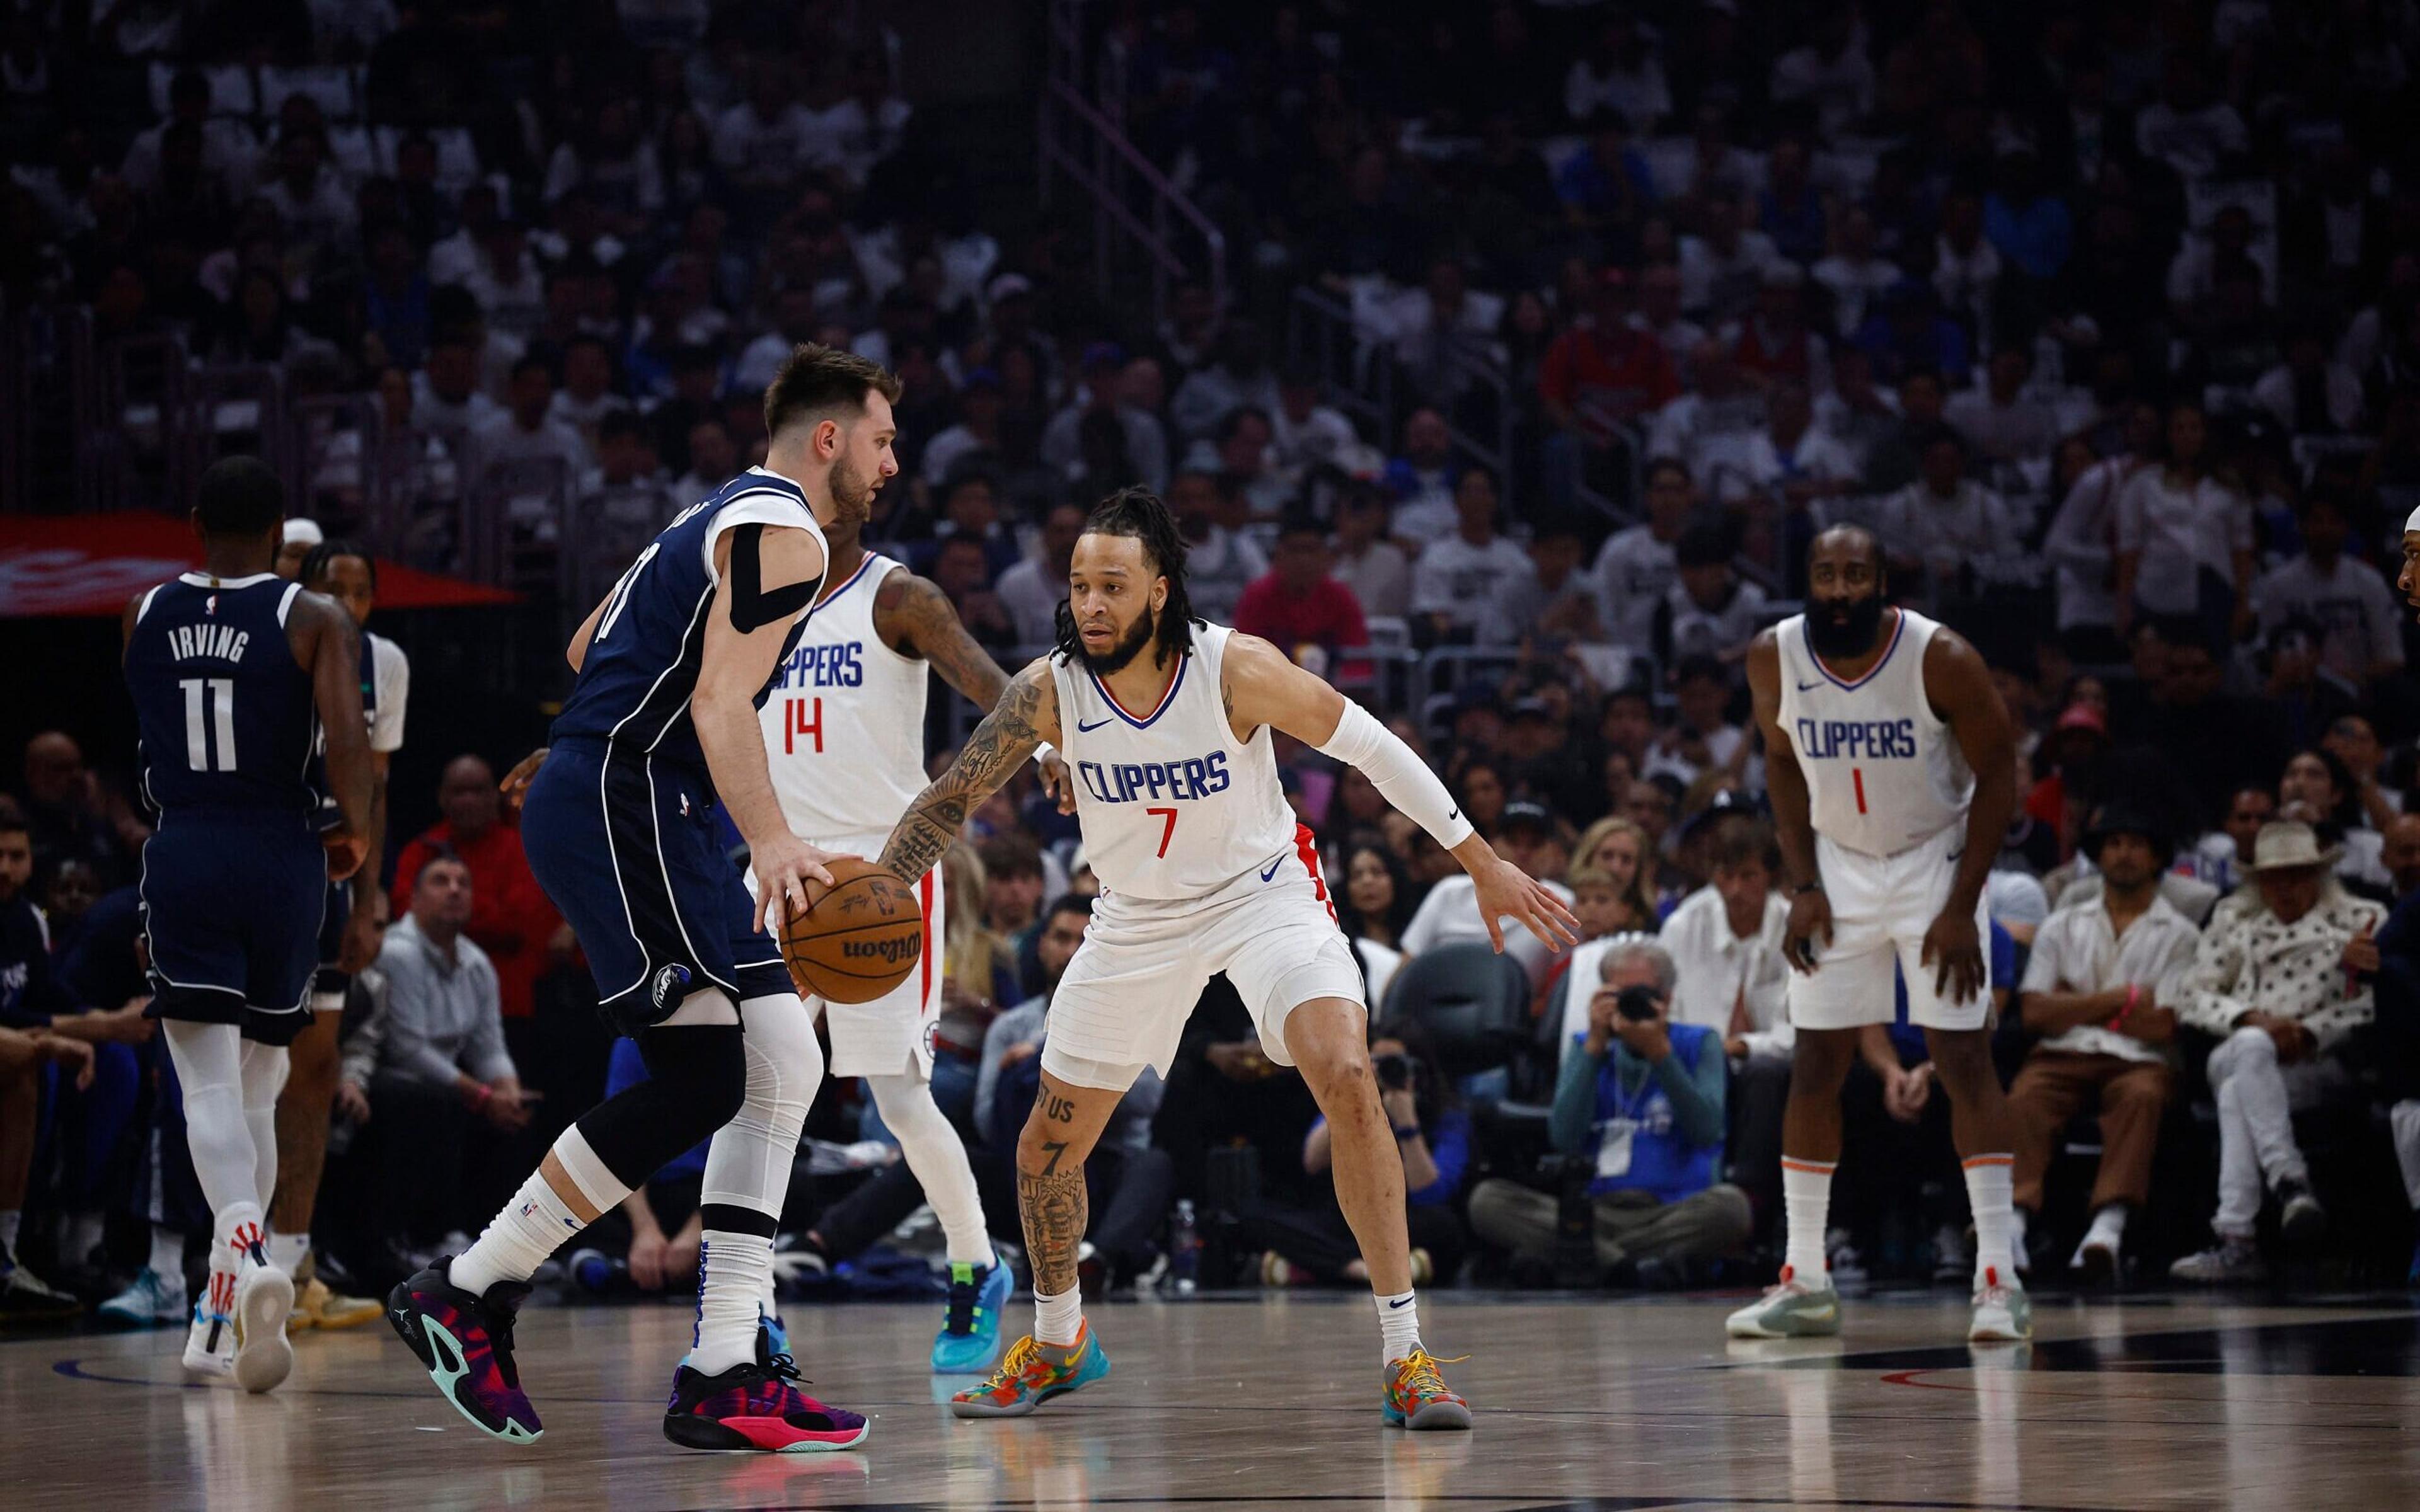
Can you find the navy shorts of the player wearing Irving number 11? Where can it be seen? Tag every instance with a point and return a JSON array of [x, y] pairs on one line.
[[231, 913]]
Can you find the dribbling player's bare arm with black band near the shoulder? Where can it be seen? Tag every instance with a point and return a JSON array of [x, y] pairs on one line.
[[766, 577]]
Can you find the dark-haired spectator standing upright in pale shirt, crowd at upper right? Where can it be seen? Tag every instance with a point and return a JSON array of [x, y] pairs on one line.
[[2184, 538]]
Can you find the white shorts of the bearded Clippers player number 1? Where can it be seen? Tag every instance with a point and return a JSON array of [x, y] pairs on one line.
[[1882, 908]]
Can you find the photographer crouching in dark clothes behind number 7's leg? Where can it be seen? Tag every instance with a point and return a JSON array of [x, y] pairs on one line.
[[1431, 1133]]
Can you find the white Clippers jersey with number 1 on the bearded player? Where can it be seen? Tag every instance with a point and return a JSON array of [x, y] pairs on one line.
[[1884, 773]]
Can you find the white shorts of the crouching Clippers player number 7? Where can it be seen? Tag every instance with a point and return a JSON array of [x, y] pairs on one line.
[[1146, 962]]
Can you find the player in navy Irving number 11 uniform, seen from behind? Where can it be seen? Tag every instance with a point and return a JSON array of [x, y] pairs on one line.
[[236, 674]]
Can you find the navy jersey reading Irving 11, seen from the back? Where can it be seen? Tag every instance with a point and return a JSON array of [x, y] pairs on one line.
[[226, 715]]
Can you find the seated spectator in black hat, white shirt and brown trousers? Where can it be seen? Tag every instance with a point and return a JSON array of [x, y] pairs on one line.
[[2102, 993]]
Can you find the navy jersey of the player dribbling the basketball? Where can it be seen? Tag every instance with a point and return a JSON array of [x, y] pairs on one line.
[[643, 662]]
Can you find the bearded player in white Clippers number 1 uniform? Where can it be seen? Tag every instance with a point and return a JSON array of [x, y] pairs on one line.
[[1894, 773]]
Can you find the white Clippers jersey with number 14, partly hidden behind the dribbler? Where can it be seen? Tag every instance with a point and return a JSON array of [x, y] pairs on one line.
[[846, 722]]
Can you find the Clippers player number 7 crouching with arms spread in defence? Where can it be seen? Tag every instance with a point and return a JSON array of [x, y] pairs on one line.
[[1165, 725]]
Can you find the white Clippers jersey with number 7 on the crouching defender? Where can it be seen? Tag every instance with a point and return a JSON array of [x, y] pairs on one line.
[[1172, 807]]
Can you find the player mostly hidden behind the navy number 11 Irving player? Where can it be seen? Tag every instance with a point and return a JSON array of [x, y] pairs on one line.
[[347, 942]]
